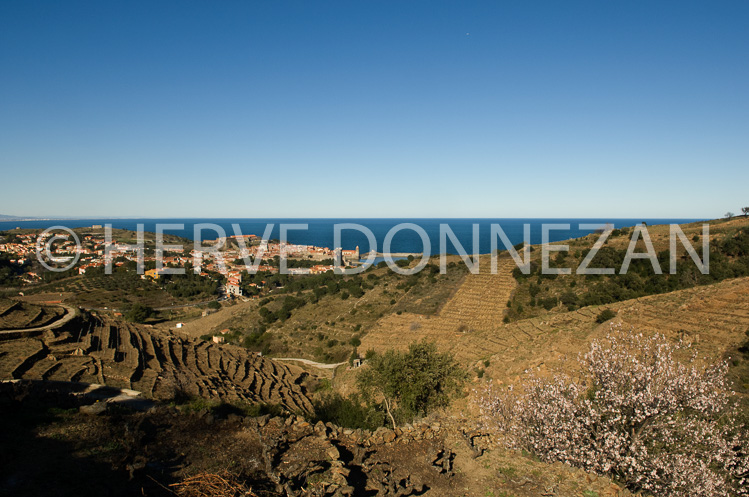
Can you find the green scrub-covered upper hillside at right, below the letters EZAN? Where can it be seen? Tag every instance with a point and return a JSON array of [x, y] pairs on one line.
[[538, 294]]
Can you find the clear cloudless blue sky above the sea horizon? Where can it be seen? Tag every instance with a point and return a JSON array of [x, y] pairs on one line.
[[374, 109]]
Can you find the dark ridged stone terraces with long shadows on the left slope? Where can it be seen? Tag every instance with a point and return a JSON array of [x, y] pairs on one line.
[[158, 365]]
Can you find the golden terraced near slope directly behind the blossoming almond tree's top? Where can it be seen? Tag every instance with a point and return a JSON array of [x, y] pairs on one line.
[[713, 318]]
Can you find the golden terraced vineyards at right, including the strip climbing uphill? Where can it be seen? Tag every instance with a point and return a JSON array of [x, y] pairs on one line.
[[713, 317]]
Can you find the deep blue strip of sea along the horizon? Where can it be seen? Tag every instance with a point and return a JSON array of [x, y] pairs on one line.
[[320, 232]]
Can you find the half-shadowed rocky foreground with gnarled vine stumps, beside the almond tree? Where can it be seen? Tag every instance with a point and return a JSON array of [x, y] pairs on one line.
[[277, 456]]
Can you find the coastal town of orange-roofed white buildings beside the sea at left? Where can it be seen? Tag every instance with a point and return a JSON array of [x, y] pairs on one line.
[[231, 258]]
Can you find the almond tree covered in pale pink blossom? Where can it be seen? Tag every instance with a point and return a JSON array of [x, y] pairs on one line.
[[638, 415]]
